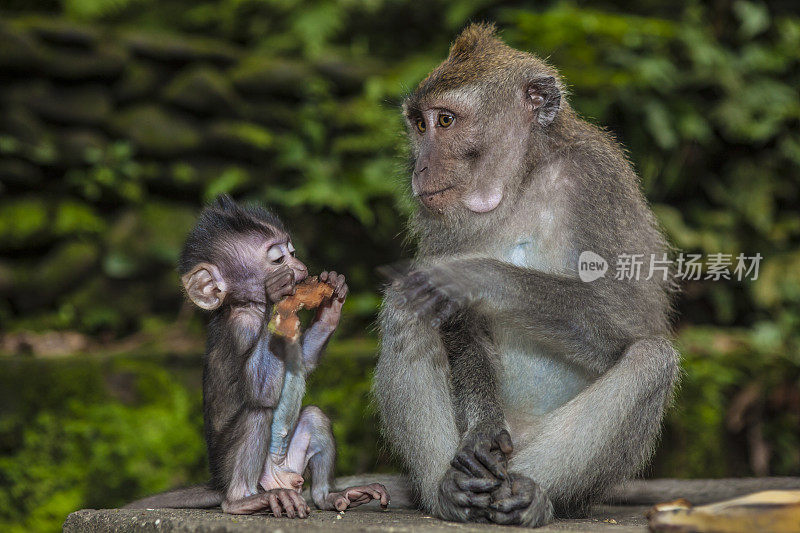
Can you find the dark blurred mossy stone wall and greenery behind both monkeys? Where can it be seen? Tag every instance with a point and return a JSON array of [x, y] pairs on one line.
[[119, 118]]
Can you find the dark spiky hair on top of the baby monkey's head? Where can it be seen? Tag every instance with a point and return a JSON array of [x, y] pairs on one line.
[[224, 218]]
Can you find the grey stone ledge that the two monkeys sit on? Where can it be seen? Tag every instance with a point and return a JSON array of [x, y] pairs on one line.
[[627, 515]]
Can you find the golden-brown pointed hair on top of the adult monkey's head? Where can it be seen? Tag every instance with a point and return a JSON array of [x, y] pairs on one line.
[[479, 57]]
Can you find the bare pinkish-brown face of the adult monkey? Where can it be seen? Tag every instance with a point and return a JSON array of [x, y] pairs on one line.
[[466, 152]]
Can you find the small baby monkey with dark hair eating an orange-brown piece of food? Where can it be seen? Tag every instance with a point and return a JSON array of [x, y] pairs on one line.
[[236, 263]]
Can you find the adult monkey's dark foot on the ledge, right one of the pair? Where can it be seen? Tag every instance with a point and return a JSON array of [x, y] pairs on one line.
[[520, 501]]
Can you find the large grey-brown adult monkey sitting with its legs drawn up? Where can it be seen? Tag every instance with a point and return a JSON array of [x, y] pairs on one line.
[[511, 389]]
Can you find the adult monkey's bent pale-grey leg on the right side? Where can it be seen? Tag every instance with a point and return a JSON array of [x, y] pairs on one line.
[[575, 452]]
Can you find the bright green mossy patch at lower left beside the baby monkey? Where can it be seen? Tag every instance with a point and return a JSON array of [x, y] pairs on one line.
[[92, 433]]
